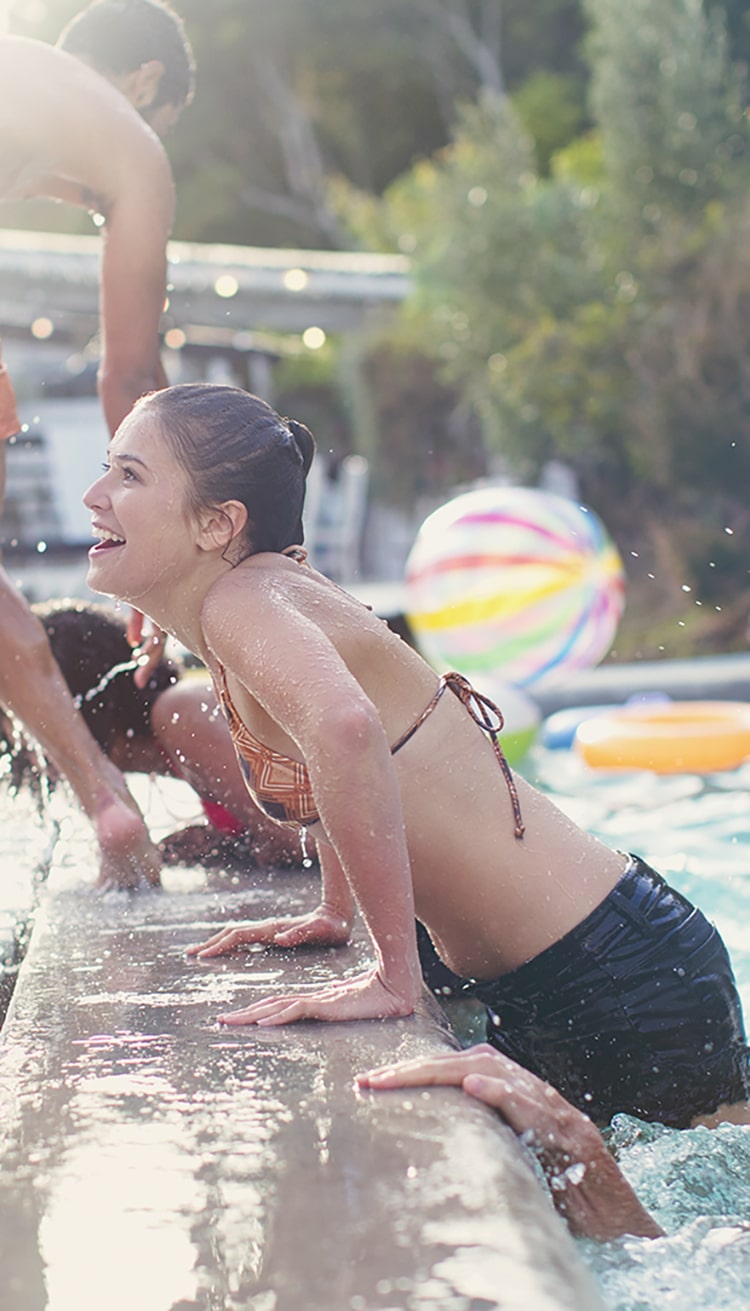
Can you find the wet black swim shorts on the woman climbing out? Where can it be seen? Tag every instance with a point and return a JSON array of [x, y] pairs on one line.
[[637, 1010]]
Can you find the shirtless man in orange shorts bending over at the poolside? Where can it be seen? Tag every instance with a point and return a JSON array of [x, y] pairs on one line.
[[90, 136]]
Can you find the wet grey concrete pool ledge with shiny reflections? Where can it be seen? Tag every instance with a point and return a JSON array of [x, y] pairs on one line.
[[151, 1161]]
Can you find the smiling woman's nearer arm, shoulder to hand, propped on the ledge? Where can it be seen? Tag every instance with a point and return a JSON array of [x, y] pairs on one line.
[[306, 689]]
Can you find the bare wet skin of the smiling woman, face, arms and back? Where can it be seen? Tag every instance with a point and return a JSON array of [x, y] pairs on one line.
[[394, 832]]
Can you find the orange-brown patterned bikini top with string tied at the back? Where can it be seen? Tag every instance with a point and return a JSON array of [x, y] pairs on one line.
[[281, 786]]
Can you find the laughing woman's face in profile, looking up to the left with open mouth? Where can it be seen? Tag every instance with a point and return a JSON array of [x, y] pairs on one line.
[[142, 517]]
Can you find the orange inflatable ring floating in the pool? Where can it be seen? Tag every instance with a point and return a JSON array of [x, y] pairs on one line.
[[672, 737]]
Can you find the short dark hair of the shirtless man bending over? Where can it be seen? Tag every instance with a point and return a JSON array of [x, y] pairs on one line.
[[120, 36]]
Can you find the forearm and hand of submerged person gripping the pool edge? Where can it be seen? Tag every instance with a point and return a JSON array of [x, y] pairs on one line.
[[587, 1184]]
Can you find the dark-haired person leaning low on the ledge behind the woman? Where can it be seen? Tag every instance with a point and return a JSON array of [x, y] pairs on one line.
[[172, 727]]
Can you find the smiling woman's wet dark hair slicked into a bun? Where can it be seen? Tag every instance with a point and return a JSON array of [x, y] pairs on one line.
[[235, 448]]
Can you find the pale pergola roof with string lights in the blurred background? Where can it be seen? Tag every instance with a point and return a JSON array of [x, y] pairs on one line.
[[218, 296]]
